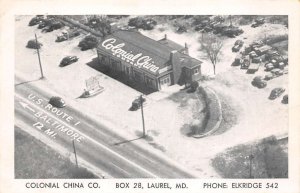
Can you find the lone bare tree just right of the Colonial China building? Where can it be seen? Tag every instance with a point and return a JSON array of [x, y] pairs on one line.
[[212, 45]]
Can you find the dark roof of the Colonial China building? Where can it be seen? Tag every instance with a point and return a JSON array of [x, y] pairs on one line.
[[135, 44]]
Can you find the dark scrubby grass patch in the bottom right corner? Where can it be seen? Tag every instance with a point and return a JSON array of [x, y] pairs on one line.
[[270, 160]]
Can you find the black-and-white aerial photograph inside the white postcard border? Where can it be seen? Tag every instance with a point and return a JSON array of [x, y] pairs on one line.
[[151, 96]]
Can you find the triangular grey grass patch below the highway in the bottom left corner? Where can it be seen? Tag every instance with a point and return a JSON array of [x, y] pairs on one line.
[[35, 160]]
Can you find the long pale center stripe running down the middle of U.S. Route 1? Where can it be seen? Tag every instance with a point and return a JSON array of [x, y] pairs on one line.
[[87, 137]]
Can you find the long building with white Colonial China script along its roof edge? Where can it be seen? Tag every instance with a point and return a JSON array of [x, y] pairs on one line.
[[157, 64]]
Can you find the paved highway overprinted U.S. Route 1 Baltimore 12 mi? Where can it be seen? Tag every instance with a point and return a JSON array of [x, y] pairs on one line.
[[94, 143]]
